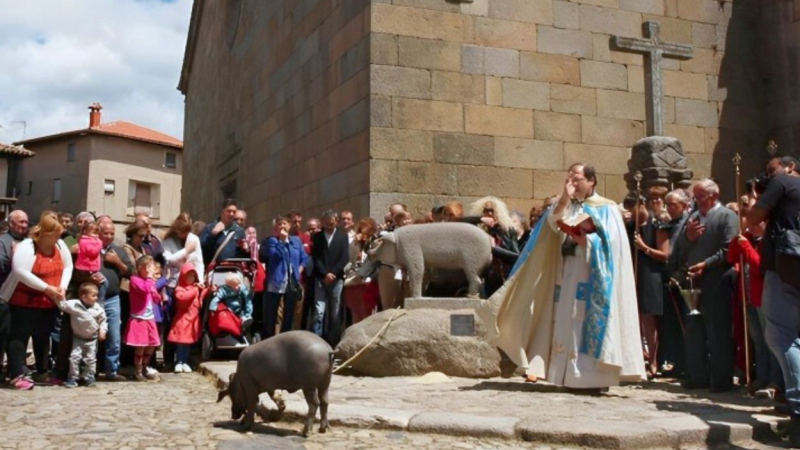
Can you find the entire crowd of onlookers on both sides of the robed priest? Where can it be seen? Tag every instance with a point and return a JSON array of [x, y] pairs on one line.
[[68, 287]]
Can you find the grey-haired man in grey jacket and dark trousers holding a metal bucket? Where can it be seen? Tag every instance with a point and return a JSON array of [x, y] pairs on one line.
[[701, 253]]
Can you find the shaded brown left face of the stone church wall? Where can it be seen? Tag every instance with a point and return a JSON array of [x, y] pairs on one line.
[[277, 107]]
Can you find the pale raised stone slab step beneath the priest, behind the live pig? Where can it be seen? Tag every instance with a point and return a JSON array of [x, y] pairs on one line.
[[650, 415]]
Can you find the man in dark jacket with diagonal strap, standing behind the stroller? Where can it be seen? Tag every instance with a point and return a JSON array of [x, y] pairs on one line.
[[217, 233]]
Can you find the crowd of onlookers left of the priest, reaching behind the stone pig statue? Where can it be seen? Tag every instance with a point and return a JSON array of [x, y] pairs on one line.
[[89, 302]]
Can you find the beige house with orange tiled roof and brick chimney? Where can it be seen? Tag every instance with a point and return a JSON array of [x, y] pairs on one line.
[[117, 168]]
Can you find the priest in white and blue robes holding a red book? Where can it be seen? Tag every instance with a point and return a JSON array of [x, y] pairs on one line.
[[568, 312]]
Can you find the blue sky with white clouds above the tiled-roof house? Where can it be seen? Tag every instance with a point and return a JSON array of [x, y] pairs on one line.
[[59, 56]]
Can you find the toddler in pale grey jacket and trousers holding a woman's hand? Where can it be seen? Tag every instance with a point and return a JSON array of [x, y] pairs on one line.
[[88, 322]]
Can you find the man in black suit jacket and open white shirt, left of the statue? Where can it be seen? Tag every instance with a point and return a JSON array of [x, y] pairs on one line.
[[330, 254]]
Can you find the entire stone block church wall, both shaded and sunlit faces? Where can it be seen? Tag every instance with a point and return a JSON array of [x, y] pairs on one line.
[[358, 104]]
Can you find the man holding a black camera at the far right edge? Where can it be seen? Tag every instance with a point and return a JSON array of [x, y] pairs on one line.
[[779, 205]]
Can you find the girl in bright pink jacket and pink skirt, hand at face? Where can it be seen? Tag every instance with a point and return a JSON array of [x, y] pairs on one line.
[[141, 331]]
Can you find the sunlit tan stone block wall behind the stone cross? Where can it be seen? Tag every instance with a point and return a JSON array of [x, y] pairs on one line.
[[501, 96]]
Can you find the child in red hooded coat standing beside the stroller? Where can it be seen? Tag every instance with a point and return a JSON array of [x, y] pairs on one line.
[[186, 324]]
